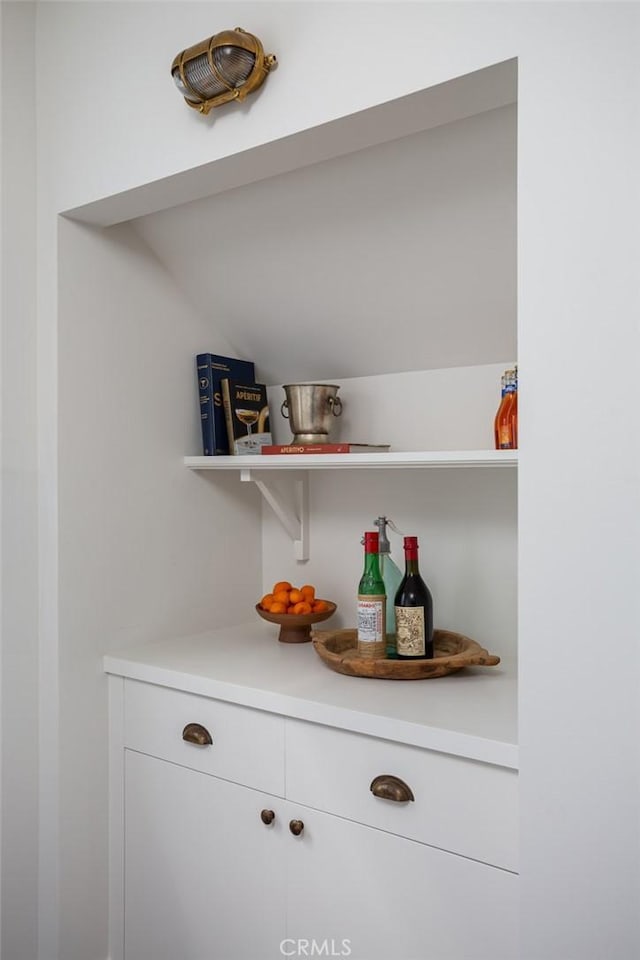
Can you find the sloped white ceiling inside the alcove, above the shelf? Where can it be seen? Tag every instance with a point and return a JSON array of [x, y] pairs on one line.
[[397, 257]]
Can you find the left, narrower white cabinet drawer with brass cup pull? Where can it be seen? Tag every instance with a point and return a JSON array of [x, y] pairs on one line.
[[247, 745]]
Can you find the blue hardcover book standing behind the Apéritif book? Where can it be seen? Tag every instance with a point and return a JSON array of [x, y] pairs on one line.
[[211, 369]]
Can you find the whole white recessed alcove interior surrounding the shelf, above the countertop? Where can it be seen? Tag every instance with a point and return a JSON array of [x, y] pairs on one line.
[[378, 252]]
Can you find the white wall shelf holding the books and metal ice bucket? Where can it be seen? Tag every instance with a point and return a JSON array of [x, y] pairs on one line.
[[359, 461]]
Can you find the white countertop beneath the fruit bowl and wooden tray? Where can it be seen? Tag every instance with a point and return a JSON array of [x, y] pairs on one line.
[[472, 713]]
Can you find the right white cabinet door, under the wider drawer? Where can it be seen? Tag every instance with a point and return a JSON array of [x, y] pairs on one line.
[[370, 895]]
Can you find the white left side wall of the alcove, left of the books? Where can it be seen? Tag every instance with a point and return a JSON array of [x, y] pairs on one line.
[[147, 550]]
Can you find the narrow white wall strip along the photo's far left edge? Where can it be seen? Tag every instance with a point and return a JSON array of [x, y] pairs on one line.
[[19, 575]]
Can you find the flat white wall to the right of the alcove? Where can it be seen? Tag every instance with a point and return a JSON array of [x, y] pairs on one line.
[[579, 489]]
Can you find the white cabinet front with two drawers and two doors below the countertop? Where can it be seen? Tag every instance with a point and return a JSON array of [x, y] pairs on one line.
[[212, 865]]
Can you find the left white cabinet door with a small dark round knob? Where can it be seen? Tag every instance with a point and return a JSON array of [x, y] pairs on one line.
[[203, 873]]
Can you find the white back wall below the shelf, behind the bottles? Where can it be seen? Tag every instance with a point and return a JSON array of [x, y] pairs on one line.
[[465, 523]]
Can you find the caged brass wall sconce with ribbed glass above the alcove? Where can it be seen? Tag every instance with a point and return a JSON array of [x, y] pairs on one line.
[[227, 66]]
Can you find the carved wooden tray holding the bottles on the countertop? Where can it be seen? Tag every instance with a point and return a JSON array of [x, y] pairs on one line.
[[453, 652]]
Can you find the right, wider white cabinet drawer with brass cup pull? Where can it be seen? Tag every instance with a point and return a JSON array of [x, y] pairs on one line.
[[460, 805]]
